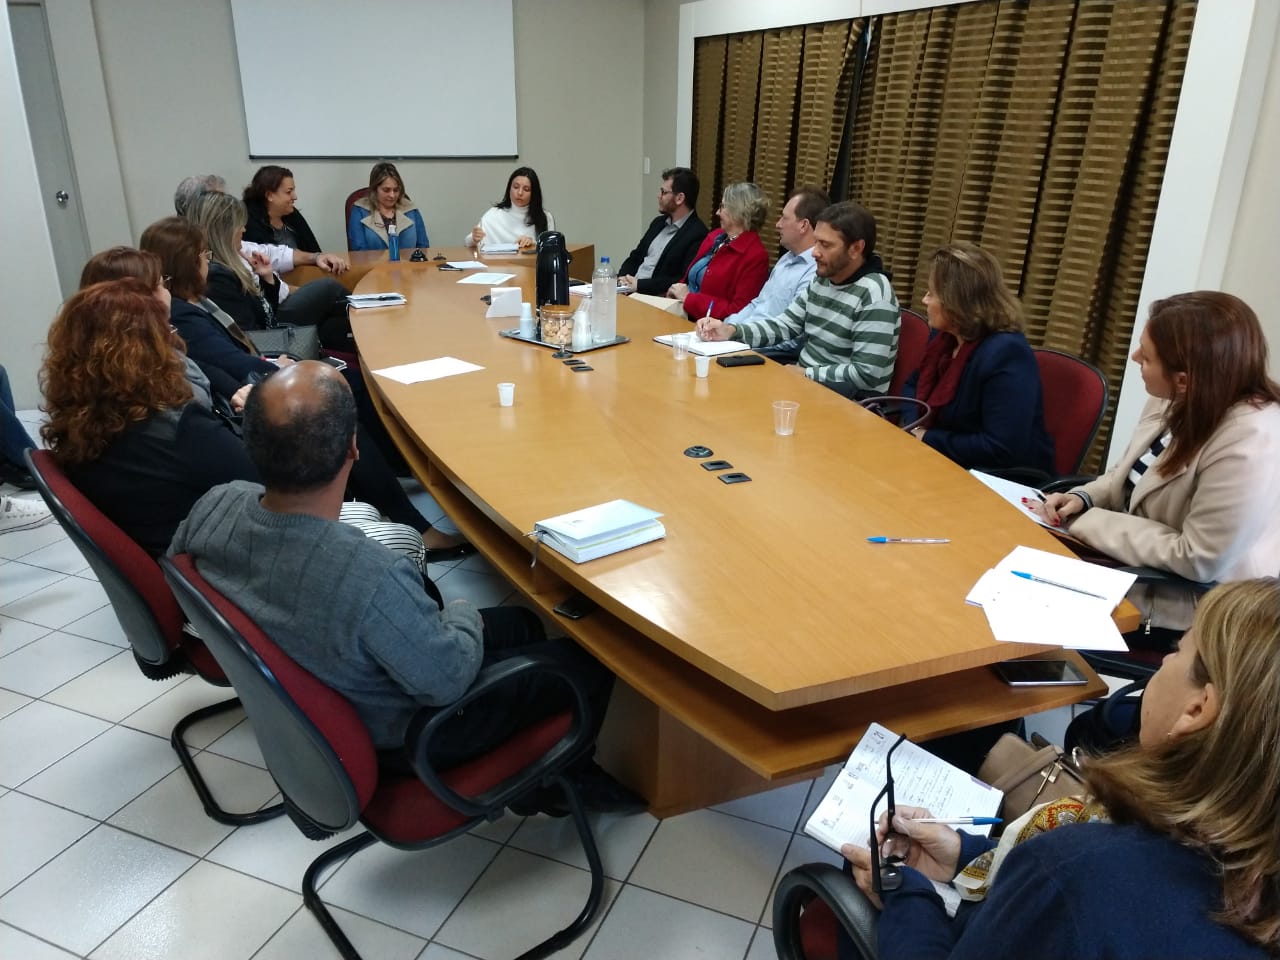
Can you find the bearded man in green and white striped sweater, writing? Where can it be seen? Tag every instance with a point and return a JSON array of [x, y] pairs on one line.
[[848, 313]]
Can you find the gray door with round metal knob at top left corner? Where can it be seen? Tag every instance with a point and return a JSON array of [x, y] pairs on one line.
[[51, 143]]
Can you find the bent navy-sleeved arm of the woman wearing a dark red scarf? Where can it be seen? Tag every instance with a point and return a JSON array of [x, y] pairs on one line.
[[1008, 417]]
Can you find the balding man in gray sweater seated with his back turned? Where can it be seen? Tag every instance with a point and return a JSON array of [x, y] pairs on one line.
[[348, 609]]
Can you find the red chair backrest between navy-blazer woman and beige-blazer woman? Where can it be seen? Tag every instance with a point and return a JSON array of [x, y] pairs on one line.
[[1076, 399]]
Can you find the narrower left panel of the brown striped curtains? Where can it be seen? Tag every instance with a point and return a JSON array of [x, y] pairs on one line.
[[771, 108]]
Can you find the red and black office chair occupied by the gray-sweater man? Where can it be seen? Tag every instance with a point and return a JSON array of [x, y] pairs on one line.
[[326, 765]]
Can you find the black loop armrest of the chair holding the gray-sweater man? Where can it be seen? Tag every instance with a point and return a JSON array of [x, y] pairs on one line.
[[428, 723]]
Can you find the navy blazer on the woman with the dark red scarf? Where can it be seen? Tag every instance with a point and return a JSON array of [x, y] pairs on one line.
[[996, 419]]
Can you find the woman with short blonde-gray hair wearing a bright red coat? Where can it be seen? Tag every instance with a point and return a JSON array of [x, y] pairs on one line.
[[732, 264]]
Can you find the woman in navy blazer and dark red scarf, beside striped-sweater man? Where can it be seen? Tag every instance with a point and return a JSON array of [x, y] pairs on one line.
[[979, 373]]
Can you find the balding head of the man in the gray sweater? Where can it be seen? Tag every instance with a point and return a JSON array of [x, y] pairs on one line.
[[299, 424]]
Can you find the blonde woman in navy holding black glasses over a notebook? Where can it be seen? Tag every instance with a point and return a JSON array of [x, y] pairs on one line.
[[1174, 853]]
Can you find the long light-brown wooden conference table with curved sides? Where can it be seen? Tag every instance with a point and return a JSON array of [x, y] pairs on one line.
[[757, 642]]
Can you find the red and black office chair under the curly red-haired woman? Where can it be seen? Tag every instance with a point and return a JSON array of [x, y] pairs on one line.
[[148, 612]]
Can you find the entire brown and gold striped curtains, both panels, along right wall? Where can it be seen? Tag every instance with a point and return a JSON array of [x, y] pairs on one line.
[[1039, 130]]
